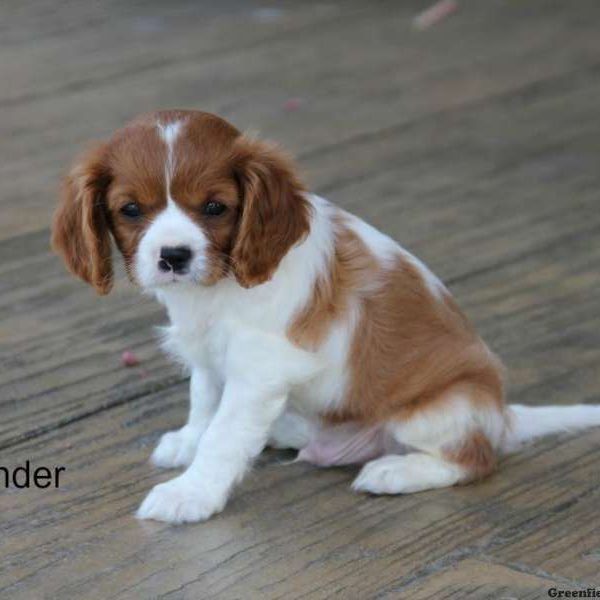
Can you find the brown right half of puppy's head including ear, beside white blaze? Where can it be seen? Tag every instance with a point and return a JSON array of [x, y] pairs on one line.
[[265, 209]]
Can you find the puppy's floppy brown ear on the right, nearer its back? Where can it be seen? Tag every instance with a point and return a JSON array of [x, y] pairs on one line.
[[275, 214]]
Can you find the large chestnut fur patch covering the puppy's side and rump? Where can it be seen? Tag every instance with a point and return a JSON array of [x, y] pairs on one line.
[[410, 346]]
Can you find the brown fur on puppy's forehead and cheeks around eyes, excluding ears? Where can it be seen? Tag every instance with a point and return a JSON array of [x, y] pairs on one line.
[[196, 169]]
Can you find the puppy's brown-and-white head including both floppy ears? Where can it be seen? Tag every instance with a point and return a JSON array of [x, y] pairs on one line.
[[187, 200]]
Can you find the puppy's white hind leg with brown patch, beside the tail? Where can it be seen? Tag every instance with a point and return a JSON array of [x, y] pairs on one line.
[[455, 441]]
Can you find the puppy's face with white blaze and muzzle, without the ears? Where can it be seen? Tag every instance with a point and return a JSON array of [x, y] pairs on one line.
[[174, 202]]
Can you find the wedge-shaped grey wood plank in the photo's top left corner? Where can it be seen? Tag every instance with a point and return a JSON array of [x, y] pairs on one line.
[[116, 40]]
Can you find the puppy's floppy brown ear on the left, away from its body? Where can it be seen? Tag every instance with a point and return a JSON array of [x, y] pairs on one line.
[[80, 232]]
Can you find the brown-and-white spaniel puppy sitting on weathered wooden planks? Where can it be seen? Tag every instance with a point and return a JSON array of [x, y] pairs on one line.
[[303, 327]]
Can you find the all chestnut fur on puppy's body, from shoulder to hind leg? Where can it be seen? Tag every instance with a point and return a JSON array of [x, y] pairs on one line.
[[410, 349]]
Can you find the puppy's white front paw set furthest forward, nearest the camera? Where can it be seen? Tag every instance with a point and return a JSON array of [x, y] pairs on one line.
[[181, 500]]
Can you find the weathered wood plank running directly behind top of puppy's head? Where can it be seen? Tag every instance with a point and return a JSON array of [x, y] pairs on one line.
[[401, 78]]
